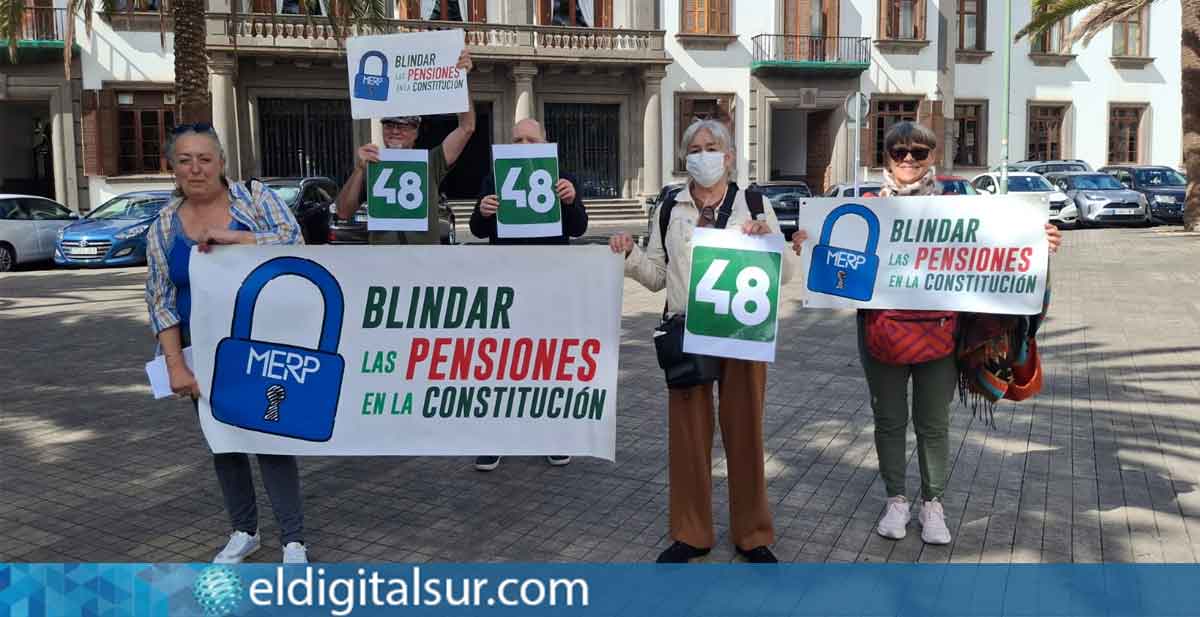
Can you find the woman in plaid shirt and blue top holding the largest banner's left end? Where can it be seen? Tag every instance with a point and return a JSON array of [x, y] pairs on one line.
[[208, 211]]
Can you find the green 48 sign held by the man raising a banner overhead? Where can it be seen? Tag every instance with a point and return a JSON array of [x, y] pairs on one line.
[[398, 196]]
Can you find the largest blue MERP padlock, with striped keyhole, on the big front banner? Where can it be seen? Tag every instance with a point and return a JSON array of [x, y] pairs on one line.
[[275, 388]]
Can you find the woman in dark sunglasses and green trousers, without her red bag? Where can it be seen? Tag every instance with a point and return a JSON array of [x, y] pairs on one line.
[[910, 148]]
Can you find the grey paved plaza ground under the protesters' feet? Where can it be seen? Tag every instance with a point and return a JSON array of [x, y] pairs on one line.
[[1103, 466]]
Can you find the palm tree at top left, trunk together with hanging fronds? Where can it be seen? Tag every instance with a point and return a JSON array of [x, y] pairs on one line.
[[191, 58]]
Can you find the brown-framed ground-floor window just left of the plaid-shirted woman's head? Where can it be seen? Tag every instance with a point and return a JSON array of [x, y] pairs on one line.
[[142, 125]]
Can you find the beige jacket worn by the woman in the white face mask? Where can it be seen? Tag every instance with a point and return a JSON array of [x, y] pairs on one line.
[[651, 268]]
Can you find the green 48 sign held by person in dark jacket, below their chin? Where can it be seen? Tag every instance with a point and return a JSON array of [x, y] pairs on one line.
[[525, 183]]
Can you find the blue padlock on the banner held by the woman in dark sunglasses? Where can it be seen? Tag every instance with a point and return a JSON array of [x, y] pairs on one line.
[[847, 273]]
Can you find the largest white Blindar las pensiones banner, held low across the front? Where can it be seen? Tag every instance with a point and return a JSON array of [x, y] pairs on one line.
[[321, 351]]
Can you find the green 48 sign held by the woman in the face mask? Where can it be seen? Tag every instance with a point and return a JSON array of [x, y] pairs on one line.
[[734, 295]]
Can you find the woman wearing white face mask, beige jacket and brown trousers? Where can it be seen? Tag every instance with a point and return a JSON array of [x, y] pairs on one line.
[[743, 384]]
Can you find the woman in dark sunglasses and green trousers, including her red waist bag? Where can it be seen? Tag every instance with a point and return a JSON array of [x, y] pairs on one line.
[[933, 370]]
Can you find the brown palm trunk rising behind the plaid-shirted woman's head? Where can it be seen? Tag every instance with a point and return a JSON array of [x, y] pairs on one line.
[[191, 63]]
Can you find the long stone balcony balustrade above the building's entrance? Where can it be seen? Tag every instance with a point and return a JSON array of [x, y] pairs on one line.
[[304, 33]]
